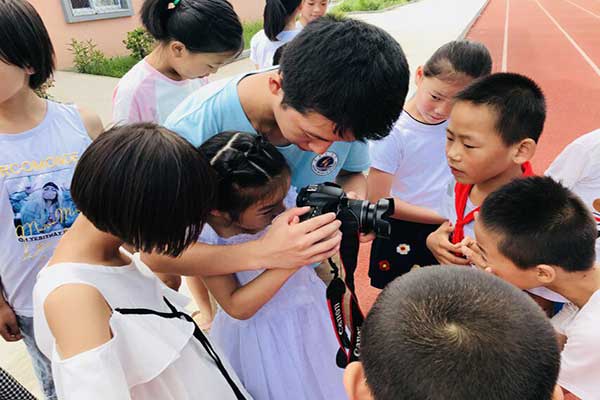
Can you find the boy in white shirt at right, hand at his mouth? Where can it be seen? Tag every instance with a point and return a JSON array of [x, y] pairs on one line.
[[535, 232]]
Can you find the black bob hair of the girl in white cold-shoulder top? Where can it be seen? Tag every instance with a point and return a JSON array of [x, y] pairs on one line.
[[145, 185]]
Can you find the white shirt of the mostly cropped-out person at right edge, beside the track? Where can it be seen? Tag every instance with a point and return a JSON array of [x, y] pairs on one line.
[[578, 168]]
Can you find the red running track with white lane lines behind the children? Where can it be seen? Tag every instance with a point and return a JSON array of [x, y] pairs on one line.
[[554, 42]]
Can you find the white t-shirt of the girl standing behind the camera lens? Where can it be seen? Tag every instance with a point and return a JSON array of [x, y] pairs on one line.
[[414, 153]]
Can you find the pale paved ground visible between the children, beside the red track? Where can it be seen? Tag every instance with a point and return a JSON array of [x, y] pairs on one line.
[[420, 27]]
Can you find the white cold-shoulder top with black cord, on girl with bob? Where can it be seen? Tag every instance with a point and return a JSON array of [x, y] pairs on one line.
[[149, 356]]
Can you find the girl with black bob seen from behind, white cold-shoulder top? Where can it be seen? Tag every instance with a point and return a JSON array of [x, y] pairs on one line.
[[110, 327]]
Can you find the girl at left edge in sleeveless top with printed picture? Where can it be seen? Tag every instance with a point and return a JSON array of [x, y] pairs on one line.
[[32, 130]]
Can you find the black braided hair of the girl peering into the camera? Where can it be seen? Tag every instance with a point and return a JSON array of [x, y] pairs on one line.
[[250, 169]]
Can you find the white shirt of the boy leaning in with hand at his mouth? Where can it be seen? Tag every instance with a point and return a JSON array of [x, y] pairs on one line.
[[580, 358]]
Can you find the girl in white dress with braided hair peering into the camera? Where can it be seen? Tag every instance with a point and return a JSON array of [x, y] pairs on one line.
[[273, 326]]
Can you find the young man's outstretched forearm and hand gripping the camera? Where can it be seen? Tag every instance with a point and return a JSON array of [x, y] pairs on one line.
[[286, 244]]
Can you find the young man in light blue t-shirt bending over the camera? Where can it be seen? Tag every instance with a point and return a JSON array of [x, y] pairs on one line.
[[340, 82]]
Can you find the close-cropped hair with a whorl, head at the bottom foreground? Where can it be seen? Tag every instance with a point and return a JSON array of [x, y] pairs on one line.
[[449, 332]]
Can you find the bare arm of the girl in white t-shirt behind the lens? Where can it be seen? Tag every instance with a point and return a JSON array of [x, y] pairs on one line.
[[380, 184]]
